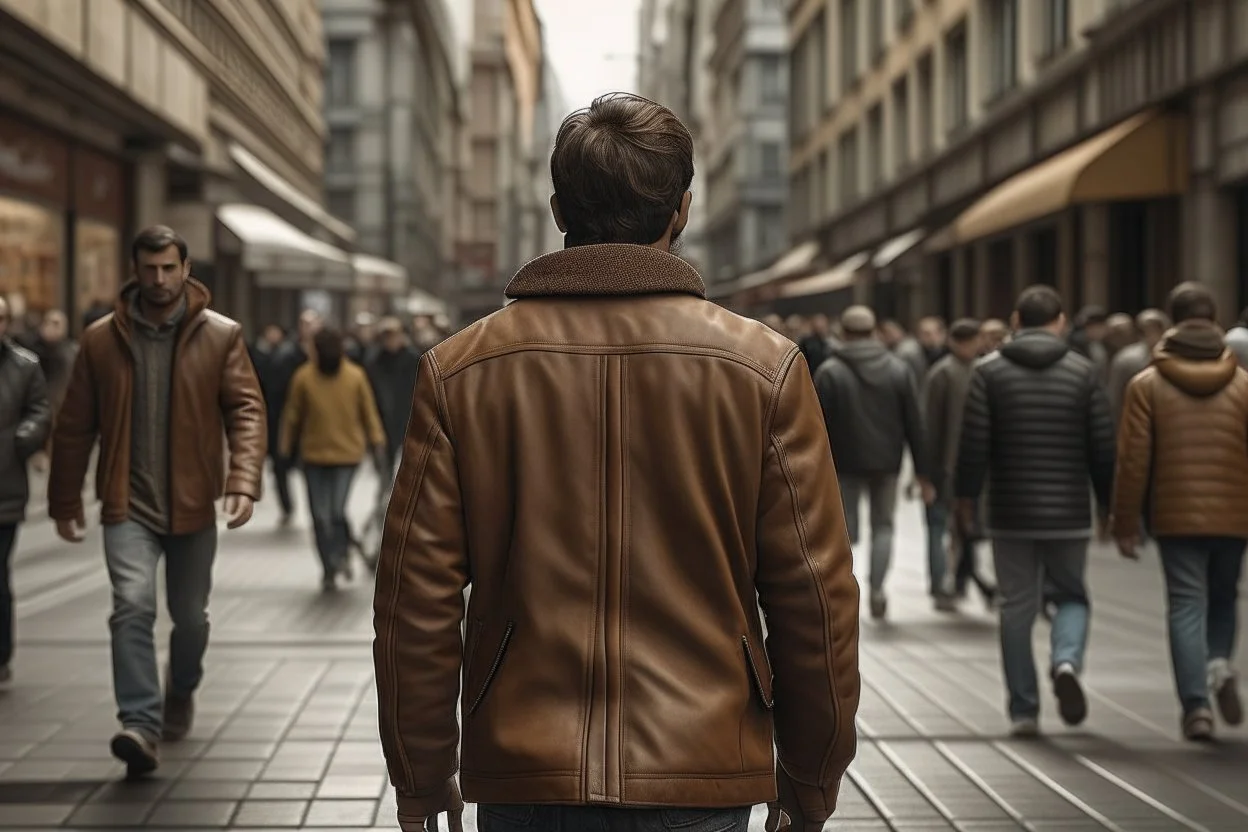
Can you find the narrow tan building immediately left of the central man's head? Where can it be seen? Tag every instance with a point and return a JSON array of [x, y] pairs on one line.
[[505, 85]]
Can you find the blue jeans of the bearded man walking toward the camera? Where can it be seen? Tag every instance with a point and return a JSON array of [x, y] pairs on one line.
[[133, 553]]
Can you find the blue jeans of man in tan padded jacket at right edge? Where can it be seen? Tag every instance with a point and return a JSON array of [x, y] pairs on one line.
[[1202, 582]]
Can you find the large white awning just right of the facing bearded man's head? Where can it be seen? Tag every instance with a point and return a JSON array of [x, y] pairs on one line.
[[281, 255]]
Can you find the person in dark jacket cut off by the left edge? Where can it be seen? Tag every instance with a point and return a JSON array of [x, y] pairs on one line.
[[26, 418]]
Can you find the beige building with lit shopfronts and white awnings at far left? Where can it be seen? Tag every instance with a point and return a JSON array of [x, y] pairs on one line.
[[200, 114]]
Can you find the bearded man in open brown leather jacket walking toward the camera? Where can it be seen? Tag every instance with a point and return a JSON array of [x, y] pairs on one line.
[[163, 384]]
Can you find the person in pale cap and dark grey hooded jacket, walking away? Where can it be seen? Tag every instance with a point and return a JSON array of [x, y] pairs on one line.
[[870, 404]]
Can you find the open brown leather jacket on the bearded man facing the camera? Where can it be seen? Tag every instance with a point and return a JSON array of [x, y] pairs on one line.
[[215, 396]]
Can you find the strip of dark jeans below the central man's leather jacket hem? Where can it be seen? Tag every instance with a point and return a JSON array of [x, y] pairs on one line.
[[601, 819]]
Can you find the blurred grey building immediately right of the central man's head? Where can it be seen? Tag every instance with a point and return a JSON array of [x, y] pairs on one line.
[[746, 142]]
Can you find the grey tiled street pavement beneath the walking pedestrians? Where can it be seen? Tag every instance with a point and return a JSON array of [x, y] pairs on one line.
[[286, 730]]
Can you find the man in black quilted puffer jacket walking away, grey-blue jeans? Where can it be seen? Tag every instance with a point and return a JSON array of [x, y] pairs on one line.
[[1036, 428]]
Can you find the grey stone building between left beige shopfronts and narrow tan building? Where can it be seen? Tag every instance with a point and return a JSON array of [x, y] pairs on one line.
[[392, 113]]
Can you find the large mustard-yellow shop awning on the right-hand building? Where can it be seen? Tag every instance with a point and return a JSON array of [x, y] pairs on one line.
[[1139, 159]]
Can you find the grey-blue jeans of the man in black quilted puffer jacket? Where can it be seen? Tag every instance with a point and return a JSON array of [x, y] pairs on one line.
[[1028, 569]]
